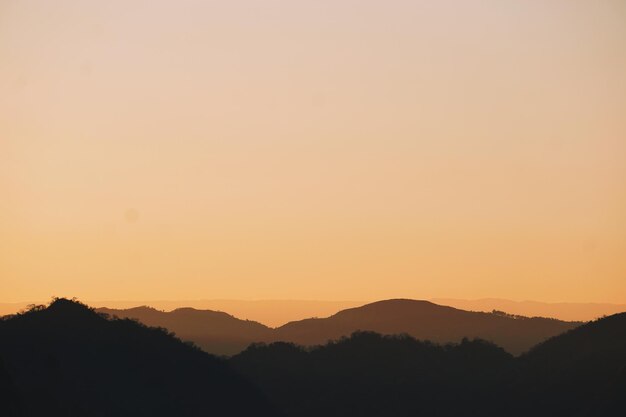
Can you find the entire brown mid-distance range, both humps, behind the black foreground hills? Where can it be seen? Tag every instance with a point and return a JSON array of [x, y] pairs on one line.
[[220, 333]]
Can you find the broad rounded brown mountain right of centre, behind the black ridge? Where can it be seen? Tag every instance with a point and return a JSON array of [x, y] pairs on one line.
[[427, 321]]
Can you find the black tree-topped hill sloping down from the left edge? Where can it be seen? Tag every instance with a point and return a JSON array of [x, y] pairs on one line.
[[68, 360]]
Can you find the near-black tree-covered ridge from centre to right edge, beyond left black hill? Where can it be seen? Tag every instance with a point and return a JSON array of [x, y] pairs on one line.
[[580, 373]]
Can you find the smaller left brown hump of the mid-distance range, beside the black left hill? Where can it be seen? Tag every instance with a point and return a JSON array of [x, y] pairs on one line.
[[214, 331]]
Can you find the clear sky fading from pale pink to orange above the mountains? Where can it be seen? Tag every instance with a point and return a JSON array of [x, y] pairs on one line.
[[313, 149]]
